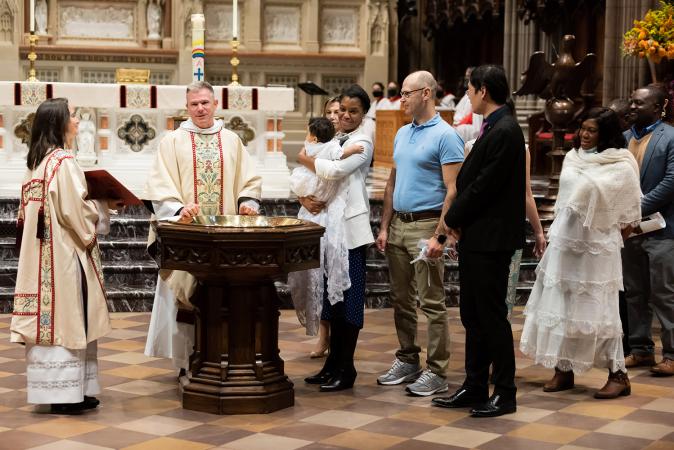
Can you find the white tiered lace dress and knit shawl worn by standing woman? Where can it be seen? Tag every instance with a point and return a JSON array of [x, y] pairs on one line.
[[572, 317]]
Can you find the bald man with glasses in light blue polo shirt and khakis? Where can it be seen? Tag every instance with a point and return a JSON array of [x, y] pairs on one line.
[[428, 154]]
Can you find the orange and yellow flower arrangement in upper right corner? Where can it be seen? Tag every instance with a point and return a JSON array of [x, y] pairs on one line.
[[653, 37]]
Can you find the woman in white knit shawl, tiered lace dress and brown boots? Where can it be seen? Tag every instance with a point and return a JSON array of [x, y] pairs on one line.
[[572, 320]]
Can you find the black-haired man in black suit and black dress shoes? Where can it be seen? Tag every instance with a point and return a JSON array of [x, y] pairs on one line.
[[488, 218]]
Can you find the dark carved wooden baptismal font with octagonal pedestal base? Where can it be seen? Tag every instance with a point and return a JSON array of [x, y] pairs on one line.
[[236, 367]]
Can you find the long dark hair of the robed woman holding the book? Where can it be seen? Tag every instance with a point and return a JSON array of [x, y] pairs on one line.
[[48, 131]]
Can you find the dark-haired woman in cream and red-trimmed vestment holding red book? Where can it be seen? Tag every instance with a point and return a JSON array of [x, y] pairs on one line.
[[60, 305]]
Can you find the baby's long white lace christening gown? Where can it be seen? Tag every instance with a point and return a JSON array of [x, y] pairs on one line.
[[307, 287]]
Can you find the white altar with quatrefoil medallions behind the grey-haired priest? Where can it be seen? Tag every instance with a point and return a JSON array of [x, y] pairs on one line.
[[121, 126]]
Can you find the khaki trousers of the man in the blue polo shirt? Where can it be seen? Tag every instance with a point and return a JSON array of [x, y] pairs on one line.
[[400, 250]]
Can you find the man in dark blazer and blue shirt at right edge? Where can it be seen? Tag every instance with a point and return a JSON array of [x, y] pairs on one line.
[[648, 260]]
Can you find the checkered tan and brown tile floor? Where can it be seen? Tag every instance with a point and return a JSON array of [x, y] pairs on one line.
[[141, 410]]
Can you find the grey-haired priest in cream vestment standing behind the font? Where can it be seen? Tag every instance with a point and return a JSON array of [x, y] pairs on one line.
[[200, 168]]
